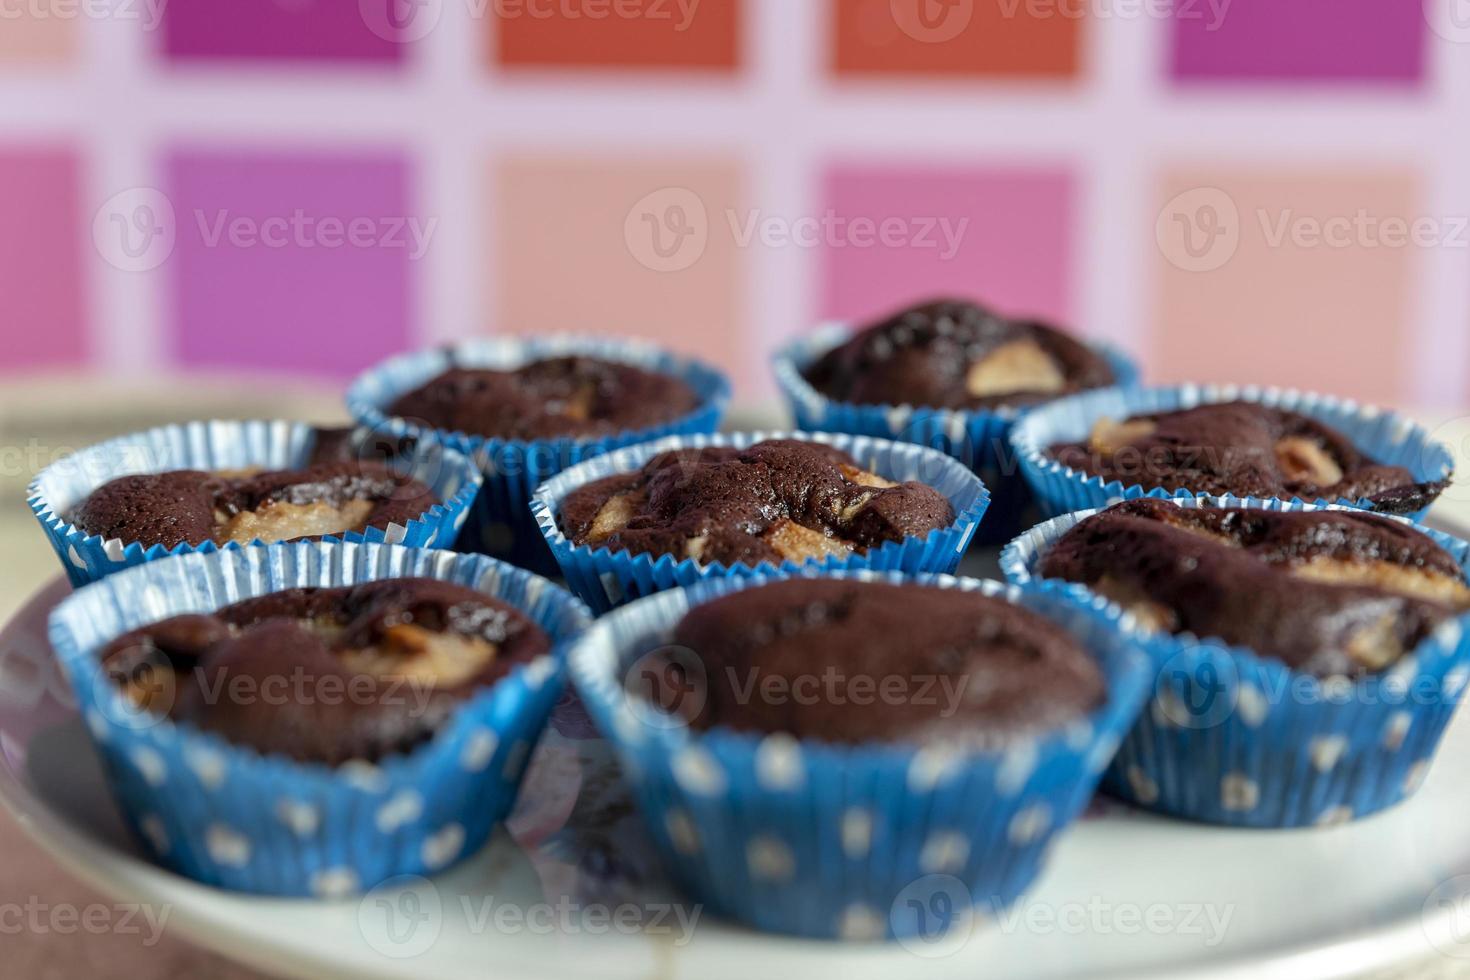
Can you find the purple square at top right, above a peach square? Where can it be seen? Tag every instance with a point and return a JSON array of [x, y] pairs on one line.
[[1300, 40]]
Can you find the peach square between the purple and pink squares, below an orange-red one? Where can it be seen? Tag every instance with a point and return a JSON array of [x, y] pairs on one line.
[[623, 249]]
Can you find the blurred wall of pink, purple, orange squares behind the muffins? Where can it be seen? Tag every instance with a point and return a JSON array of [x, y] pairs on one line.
[[229, 208]]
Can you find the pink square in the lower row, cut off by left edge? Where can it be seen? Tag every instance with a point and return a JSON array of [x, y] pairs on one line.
[[43, 237]]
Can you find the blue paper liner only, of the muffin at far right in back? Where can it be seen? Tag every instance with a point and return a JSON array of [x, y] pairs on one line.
[[1383, 436]]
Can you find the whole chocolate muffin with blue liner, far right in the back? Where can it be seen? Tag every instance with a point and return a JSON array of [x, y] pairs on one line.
[[1091, 450]]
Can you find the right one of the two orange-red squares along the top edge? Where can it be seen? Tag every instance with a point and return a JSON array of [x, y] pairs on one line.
[[956, 37]]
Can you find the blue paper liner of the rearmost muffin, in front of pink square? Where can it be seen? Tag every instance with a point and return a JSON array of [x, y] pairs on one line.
[[981, 440]]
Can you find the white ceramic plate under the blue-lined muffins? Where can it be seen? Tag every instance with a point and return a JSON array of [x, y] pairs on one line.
[[1127, 894]]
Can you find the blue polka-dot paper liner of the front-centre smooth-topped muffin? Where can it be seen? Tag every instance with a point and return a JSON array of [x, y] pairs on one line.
[[850, 843]]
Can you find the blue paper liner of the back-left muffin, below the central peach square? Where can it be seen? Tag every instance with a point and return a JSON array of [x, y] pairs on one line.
[[502, 524]]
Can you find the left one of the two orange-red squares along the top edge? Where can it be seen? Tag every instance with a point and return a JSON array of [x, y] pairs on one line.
[[693, 35]]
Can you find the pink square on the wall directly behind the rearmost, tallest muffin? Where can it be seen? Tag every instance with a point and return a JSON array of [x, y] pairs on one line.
[[997, 236]]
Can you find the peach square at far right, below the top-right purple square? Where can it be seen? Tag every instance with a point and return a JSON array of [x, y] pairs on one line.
[[1297, 278]]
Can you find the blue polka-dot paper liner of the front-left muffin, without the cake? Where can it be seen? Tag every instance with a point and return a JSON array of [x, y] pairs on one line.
[[233, 818]]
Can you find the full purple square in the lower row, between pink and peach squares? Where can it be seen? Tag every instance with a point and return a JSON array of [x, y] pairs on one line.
[[295, 264]]
